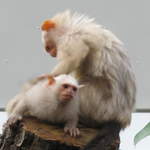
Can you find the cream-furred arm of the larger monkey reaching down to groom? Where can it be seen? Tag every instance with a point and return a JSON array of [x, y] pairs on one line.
[[70, 55]]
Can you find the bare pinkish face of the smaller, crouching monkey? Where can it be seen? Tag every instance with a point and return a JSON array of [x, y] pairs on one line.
[[67, 92]]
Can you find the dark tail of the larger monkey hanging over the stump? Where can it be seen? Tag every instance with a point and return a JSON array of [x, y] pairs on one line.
[[107, 139]]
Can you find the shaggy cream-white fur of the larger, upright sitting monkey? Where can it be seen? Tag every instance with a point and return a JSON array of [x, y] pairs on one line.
[[97, 58]]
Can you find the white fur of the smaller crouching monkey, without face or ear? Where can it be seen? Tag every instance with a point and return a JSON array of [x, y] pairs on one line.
[[42, 102]]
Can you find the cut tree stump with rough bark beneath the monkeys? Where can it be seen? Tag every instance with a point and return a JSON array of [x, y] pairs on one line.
[[33, 134]]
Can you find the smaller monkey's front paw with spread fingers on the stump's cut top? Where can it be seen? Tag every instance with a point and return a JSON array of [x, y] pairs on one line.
[[73, 131]]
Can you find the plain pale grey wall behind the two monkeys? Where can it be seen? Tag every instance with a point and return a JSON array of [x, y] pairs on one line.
[[21, 52]]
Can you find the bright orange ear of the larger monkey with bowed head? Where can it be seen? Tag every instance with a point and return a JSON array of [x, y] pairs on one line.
[[48, 24]]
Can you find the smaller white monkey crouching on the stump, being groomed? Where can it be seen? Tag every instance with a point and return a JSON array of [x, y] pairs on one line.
[[52, 99]]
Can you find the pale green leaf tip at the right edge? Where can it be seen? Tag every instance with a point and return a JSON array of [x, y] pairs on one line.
[[142, 134]]
